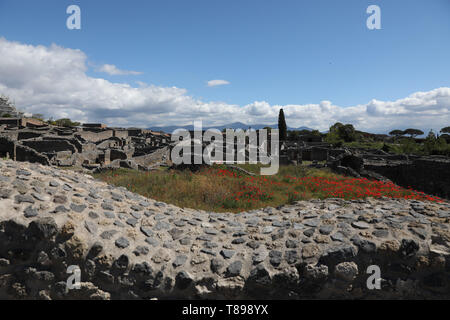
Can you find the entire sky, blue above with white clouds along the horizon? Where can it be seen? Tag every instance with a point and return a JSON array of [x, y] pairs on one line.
[[158, 63]]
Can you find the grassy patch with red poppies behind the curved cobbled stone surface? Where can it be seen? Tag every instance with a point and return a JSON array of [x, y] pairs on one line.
[[220, 189]]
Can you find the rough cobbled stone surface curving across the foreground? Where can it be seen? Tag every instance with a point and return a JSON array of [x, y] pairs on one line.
[[131, 247]]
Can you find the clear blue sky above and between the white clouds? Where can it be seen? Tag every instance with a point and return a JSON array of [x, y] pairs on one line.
[[278, 52]]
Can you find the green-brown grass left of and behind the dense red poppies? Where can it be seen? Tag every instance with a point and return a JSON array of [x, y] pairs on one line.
[[208, 190]]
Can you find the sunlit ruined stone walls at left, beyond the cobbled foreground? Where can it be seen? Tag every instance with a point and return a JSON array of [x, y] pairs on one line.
[[92, 146]]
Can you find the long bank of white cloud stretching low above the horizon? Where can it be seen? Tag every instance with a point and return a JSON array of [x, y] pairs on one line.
[[53, 81]]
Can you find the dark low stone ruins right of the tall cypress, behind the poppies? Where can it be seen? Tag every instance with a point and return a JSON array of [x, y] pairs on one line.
[[430, 174]]
